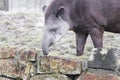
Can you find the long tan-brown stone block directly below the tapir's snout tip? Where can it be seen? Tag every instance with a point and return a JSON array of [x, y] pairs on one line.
[[48, 64]]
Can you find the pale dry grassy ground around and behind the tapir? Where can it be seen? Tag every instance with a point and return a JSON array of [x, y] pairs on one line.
[[25, 30]]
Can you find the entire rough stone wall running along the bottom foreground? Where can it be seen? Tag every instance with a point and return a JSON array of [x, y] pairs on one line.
[[27, 64]]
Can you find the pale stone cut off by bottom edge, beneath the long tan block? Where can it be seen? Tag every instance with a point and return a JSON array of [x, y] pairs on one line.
[[50, 77]]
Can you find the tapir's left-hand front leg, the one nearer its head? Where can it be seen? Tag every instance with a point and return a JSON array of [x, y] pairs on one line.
[[80, 42]]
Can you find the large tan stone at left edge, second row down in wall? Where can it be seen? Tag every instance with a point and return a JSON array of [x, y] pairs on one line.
[[14, 69]]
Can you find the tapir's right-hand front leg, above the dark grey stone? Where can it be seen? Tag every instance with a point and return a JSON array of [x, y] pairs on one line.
[[97, 37]]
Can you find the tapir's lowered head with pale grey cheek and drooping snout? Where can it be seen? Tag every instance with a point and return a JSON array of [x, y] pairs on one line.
[[56, 26]]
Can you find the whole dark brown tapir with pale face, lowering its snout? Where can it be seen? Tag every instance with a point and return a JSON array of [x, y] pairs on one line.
[[84, 17]]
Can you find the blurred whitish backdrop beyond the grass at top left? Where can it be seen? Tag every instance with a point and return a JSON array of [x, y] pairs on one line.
[[22, 5]]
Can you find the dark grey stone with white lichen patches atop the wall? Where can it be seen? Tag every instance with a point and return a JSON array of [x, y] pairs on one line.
[[104, 61]]
